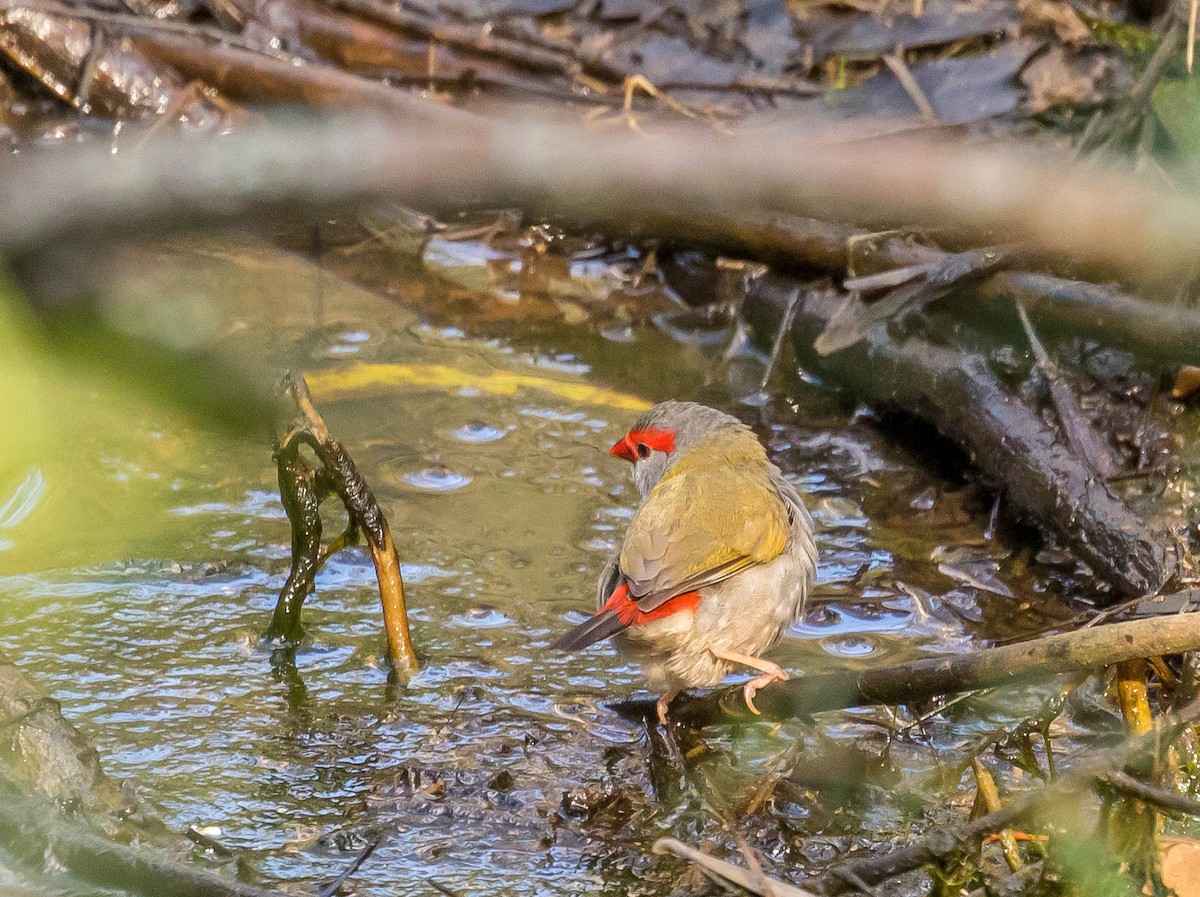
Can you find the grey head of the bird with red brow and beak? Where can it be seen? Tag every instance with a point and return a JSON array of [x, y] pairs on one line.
[[665, 434]]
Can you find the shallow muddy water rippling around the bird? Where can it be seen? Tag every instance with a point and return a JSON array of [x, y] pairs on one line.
[[499, 769]]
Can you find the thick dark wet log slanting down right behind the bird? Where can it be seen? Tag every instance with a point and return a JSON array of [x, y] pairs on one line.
[[1010, 443]]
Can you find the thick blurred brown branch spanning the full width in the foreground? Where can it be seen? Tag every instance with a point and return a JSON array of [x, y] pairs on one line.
[[693, 172]]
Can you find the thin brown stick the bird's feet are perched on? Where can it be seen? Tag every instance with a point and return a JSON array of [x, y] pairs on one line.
[[1039, 660]]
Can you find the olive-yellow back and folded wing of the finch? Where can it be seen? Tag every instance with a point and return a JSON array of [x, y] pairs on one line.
[[699, 528]]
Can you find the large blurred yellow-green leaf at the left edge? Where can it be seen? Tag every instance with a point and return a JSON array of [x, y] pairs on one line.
[[99, 422]]
